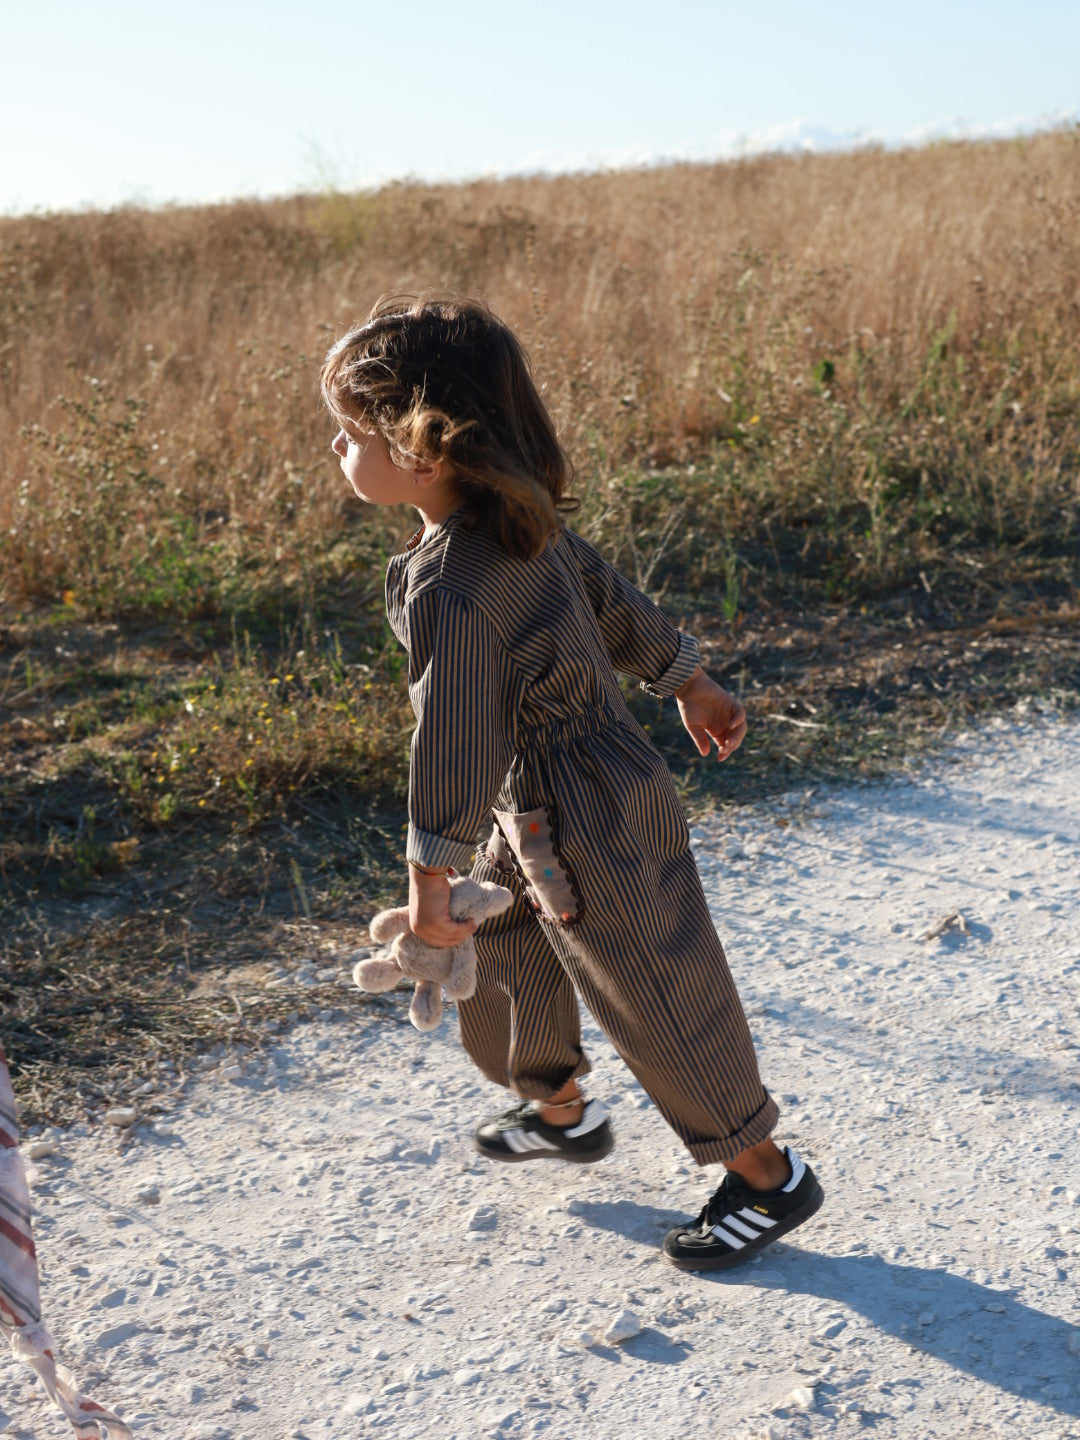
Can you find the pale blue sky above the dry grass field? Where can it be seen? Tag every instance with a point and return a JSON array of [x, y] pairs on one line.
[[107, 102]]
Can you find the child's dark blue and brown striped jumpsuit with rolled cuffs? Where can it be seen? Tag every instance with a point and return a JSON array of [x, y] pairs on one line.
[[521, 722]]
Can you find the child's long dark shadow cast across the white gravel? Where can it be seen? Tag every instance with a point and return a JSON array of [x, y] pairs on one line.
[[986, 1333]]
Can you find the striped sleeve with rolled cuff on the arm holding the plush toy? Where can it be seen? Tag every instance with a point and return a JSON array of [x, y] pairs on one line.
[[466, 693]]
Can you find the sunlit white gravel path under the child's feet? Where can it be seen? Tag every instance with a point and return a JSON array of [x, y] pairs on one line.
[[309, 1248]]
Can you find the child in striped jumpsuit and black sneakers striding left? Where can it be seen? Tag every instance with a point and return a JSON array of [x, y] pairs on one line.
[[513, 626]]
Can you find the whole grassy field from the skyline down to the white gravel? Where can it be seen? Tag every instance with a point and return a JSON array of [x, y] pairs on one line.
[[824, 407]]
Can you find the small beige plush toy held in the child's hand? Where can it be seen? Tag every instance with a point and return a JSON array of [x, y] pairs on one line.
[[434, 970]]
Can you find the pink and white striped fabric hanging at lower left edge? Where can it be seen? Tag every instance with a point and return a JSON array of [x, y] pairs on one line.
[[21, 1301]]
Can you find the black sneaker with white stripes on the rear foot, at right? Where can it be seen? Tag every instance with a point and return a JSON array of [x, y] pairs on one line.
[[739, 1222]]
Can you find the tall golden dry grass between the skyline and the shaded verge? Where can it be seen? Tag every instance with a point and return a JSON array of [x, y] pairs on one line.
[[872, 361]]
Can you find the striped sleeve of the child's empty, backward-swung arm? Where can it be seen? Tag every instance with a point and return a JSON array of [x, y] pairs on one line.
[[640, 639]]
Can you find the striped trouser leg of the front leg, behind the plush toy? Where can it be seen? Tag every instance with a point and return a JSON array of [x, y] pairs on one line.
[[522, 1026]]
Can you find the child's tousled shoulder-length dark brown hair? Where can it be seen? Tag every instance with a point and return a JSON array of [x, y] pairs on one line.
[[443, 378]]
